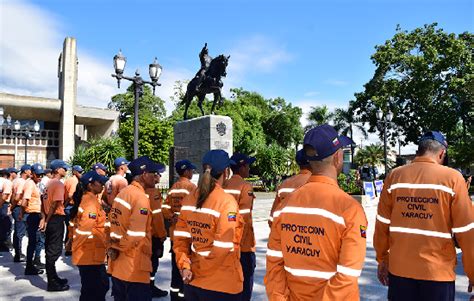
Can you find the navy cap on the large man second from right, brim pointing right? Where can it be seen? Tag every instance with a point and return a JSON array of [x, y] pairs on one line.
[[325, 140]]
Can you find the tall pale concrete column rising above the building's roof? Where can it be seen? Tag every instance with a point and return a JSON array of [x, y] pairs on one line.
[[68, 96]]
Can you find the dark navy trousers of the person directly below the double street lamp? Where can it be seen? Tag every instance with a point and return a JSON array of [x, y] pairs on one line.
[[130, 291]]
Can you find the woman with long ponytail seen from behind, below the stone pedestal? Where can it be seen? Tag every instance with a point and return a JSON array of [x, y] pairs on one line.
[[207, 236]]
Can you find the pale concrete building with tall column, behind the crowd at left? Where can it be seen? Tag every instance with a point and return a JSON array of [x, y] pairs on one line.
[[62, 123]]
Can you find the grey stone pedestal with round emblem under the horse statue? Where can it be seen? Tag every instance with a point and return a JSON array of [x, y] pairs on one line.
[[194, 137]]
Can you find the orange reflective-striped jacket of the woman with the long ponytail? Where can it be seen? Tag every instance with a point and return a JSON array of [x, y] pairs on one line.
[[207, 241]]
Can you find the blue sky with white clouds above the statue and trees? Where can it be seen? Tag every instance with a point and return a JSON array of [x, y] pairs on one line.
[[311, 53]]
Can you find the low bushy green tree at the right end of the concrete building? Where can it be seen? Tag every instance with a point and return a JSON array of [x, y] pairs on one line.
[[104, 150]]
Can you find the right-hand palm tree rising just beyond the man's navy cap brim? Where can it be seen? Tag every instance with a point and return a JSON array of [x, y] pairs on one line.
[[344, 123]]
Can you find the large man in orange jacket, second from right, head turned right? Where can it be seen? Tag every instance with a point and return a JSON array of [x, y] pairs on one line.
[[317, 245]]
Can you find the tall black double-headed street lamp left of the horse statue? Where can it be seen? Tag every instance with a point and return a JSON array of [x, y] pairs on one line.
[[138, 82]]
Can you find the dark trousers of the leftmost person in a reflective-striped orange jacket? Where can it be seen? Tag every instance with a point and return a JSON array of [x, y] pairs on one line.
[[94, 282]]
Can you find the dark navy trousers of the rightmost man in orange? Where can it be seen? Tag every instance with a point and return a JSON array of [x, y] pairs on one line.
[[407, 289]]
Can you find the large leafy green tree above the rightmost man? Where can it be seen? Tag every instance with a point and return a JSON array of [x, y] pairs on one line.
[[425, 77]]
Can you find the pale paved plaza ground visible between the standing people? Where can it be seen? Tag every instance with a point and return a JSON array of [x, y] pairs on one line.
[[15, 286]]
